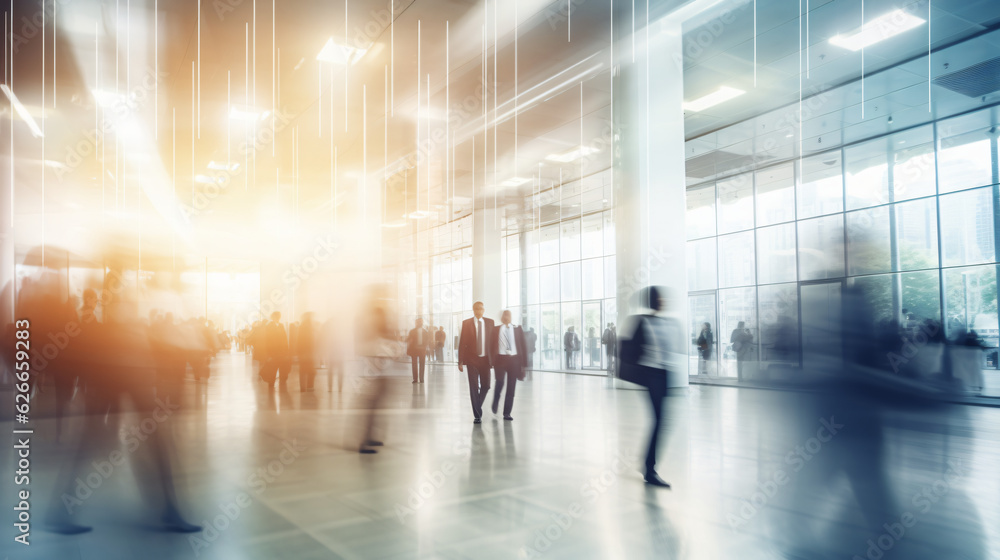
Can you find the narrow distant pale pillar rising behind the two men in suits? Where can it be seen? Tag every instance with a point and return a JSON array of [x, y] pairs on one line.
[[486, 263]]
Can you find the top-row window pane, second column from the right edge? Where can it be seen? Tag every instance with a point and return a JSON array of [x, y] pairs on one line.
[[914, 170]]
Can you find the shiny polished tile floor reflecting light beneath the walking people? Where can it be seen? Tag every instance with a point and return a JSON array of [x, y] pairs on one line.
[[560, 481]]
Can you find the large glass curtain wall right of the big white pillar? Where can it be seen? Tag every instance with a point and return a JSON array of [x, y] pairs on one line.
[[909, 217]]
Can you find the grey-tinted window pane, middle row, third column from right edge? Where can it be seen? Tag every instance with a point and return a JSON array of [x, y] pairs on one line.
[[868, 247]]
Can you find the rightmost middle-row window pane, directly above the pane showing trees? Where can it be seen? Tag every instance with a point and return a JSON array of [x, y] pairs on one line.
[[967, 227]]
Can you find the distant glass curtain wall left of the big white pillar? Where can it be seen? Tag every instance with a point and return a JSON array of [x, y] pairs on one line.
[[560, 276]]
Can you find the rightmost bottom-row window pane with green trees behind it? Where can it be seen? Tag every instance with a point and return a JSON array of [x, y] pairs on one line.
[[971, 303]]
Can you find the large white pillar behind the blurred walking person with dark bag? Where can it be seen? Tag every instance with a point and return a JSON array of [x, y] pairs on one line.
[[648, 89]]
